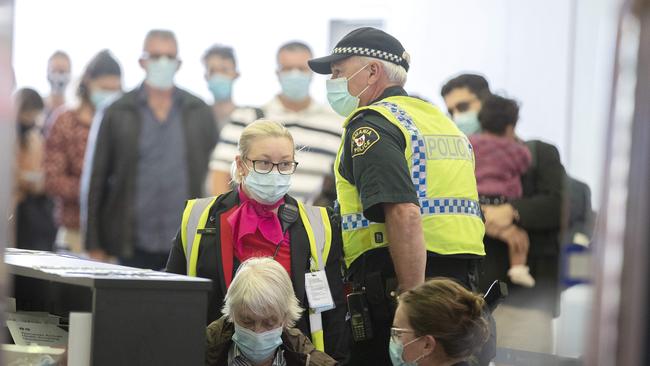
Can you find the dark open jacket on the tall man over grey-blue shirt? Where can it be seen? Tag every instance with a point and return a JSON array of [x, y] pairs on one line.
[[111, 222]]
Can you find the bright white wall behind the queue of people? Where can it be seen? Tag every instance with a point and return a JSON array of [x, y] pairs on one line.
[[521, 46]]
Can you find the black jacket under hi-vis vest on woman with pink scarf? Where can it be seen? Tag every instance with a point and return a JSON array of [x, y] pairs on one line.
[[209, 265]]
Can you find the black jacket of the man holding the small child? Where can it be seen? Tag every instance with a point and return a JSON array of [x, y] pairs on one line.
[[540, 214]]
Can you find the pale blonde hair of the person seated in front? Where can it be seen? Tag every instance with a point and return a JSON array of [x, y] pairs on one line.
[[263, 287]]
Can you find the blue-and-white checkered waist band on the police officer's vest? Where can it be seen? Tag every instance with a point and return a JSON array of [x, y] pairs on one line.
[[428, 206]]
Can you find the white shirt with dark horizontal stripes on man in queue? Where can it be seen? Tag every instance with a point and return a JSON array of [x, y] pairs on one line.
[[316, 132]]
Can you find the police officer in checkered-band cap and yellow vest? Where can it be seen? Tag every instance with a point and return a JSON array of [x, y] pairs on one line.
[[405, 185]]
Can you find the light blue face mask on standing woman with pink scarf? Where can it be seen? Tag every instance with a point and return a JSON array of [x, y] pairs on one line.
[[267, 188]]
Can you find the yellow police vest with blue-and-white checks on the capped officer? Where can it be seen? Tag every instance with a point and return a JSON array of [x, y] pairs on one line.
[[441, 162]]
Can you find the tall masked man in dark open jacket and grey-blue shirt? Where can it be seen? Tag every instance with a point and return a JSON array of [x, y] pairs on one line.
[[150, 155]]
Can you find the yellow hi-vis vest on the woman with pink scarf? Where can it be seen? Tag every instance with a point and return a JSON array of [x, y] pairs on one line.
[[319, 233]]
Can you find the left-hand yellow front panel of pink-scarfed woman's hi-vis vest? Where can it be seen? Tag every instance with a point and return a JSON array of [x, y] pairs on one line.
[[194, 218]]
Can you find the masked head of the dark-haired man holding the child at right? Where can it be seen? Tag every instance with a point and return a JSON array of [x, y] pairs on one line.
[[463, 96]]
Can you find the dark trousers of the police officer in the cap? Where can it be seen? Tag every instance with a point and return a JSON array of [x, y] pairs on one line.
[[375, 271]]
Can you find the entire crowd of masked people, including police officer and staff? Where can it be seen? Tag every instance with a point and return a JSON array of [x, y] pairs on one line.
[[156, 178]]
